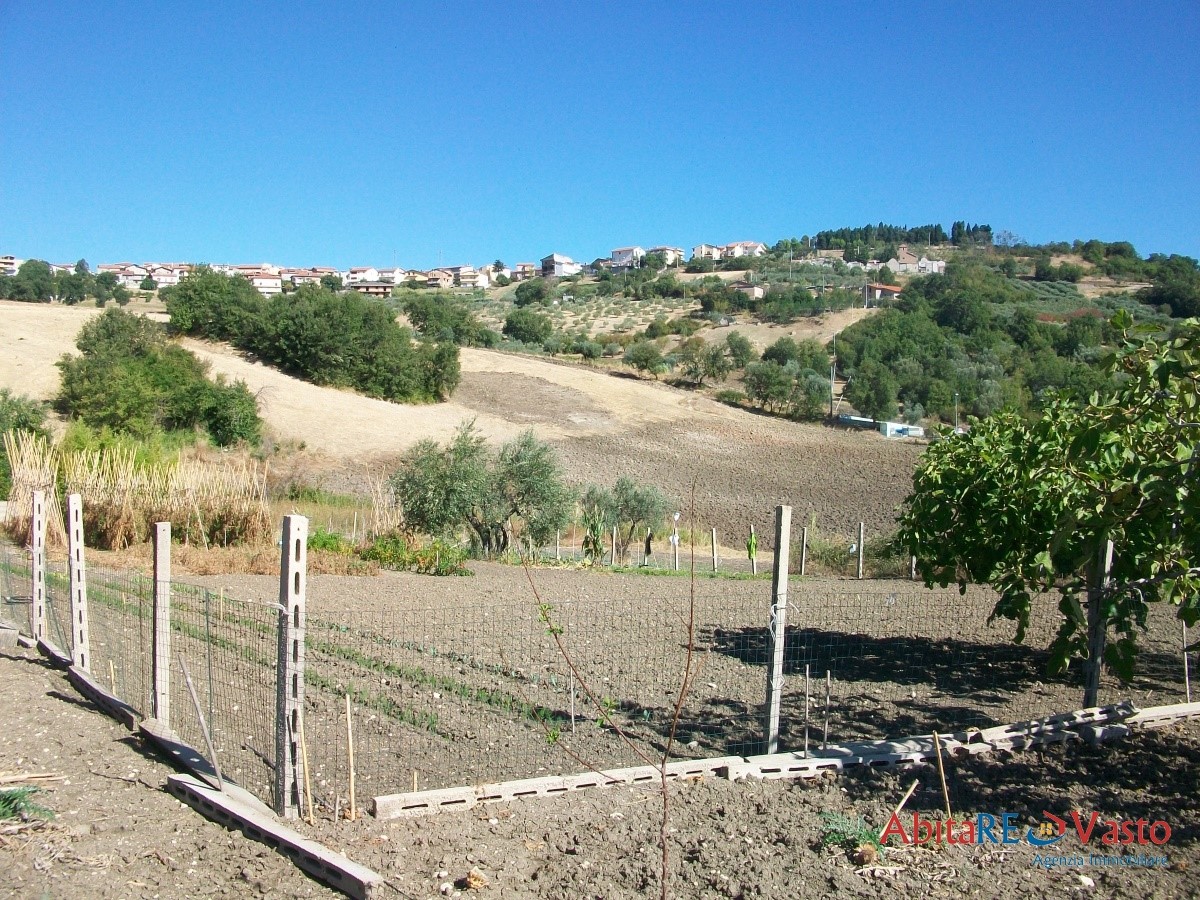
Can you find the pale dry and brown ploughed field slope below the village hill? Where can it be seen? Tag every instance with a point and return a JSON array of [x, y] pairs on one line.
[[605, 427]]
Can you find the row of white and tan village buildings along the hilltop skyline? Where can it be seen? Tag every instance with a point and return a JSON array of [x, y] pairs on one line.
[[272, 280]]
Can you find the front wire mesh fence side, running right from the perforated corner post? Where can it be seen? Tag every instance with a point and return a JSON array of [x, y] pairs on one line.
[[485, 691]]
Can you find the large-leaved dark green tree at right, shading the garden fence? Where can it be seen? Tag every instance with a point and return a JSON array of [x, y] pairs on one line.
[[1030, 508]]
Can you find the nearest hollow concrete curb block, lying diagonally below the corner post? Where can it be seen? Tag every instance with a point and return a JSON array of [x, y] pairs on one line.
[[323, 865]]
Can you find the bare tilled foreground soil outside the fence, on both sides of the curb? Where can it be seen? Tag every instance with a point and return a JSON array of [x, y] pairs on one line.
[[119, 835]]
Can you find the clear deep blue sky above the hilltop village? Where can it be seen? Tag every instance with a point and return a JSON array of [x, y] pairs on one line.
[[458, 133]]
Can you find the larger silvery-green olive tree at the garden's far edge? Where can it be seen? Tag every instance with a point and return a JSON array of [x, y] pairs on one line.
[[469, 485]]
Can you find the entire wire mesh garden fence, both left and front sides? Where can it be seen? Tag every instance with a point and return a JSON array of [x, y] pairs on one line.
[[472, 686]]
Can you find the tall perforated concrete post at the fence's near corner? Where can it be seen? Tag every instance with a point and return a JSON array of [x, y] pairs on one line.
[[290, 674]]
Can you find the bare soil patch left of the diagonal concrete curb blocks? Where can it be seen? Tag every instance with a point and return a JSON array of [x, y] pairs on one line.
[[116, 833]]
